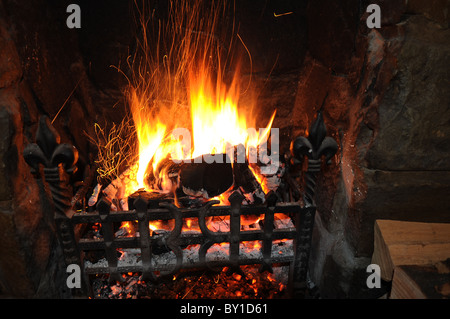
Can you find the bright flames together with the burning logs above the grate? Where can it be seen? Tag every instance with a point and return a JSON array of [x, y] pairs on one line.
[[193, 136]]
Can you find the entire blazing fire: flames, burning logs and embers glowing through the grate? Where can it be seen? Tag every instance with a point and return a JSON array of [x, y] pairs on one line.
[[195, 142]]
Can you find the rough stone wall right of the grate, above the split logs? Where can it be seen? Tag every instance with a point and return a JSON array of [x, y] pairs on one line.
[[389, 110]]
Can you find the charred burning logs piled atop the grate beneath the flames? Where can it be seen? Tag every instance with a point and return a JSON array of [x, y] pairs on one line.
[[191, 183]]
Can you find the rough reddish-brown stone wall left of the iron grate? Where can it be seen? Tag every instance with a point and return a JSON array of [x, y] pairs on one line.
[[30, 263]]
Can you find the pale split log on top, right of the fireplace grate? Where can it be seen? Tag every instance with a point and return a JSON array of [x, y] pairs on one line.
[[398, 243]]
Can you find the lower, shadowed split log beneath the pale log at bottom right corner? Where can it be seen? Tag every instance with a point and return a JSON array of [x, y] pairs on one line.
[[421, 282]]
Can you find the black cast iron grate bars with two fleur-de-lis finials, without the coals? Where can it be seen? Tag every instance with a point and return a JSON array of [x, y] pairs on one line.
[[59, 162]]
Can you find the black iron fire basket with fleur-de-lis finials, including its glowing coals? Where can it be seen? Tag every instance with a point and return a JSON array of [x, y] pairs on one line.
[[154, 248]]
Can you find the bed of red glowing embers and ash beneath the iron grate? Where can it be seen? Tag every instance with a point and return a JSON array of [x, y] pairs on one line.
[[207, 286]]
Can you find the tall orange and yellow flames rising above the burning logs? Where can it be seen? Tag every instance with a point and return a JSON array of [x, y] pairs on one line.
[[181, 83]]
